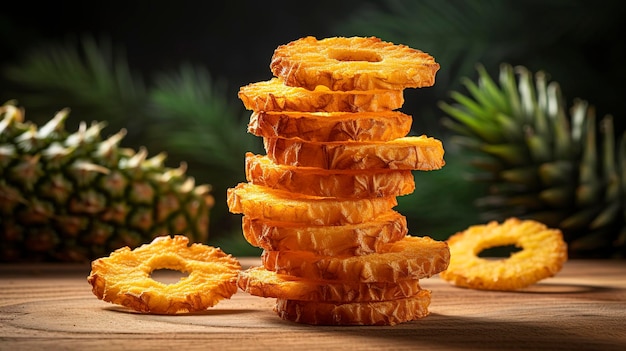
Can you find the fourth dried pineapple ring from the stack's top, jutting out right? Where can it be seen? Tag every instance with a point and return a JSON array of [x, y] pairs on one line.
[[413, 152]]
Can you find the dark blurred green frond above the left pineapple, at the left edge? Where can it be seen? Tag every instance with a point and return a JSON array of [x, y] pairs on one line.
[[91, 77]]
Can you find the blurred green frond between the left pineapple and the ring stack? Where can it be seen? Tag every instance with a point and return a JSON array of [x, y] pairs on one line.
[[194, 115]]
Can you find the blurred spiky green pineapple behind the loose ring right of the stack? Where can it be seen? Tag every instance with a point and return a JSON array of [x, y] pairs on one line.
[[542, 162]]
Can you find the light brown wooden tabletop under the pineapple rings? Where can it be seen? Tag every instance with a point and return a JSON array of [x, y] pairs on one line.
[[51, 307]]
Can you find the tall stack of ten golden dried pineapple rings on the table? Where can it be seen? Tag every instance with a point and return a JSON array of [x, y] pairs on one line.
[[320, 202]]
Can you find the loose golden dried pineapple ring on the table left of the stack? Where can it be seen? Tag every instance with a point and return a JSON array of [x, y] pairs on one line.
[[123, 277]]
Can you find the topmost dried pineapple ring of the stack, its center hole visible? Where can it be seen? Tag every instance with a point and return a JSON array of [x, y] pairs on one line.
[[353, 63]]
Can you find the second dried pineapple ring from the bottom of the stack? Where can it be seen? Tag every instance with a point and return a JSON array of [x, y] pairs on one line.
[[259, 281]]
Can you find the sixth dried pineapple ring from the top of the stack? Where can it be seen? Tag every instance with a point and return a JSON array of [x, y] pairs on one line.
[[258, 201]]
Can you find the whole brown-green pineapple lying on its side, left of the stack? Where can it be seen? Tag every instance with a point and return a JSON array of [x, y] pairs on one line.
[[76, 196]]
